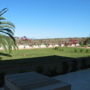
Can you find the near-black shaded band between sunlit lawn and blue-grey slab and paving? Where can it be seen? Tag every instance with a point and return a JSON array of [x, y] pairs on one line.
[[50, 66]]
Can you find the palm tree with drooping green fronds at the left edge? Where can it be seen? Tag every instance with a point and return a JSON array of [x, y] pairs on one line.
[[7, 40]]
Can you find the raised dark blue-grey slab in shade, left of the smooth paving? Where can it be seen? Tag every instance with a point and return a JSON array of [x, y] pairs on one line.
[[33, 81]]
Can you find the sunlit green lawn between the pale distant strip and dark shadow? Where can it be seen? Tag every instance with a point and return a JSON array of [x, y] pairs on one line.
[[65, 51]]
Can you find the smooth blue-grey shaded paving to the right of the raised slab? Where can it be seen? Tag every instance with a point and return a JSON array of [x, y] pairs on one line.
[[79, 80]]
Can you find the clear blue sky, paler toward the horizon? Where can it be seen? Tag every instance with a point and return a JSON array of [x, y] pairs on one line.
[[48, 18]]
